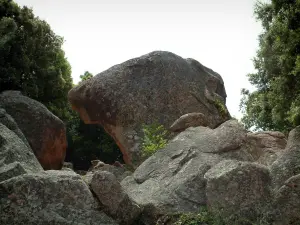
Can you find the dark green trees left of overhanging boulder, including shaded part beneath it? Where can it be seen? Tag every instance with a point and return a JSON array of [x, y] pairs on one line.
[[32, 61]]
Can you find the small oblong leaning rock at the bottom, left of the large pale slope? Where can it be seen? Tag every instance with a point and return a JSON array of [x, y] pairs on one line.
[[116, 202]]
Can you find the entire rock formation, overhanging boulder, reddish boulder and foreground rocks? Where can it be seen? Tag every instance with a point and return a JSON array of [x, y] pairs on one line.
[[239, 175]]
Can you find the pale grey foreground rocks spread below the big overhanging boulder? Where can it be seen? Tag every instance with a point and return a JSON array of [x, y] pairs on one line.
[[220, 167]]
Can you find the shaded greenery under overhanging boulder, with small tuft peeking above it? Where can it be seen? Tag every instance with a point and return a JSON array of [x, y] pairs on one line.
[[88, 142]]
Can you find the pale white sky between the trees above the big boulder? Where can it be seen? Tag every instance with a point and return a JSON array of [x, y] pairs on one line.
[[222, 35]]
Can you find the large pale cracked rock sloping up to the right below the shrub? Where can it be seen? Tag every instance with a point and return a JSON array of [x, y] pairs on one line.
[[172, 179]]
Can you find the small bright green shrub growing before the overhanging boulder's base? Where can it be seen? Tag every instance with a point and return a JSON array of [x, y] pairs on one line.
[[155, 137]]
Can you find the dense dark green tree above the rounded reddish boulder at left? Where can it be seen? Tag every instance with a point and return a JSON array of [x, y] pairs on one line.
[[31, 58]]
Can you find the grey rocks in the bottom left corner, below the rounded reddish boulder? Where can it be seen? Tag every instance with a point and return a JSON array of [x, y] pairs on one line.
[[30, 195]]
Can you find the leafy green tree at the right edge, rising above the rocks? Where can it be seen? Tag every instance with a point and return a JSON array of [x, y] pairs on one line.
[[275, 104]]
